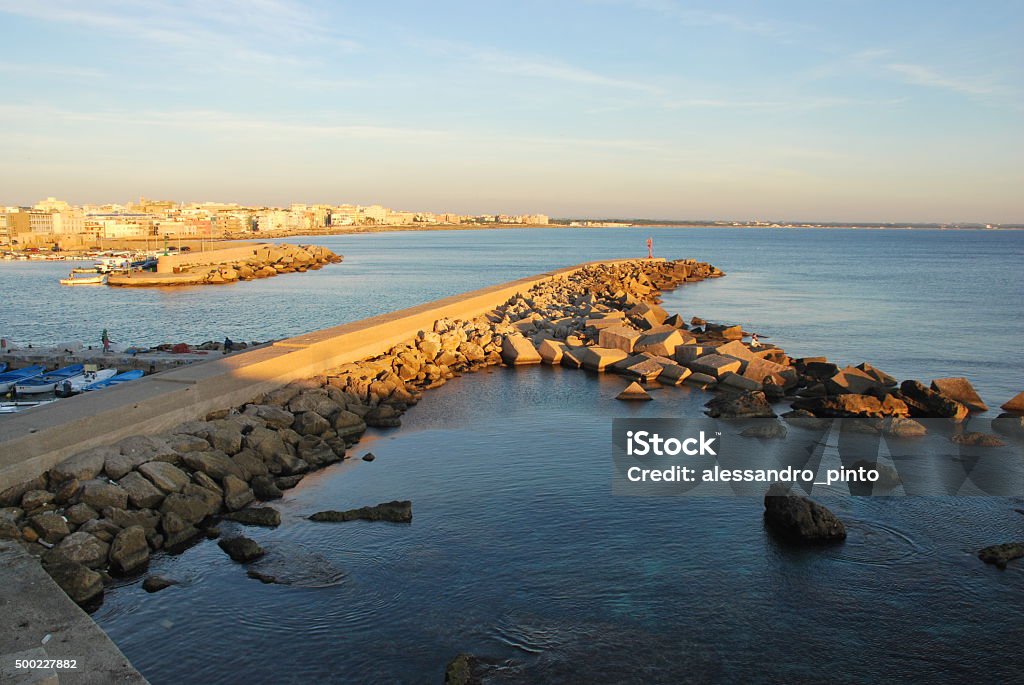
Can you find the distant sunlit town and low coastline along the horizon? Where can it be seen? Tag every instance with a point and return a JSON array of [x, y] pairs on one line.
[[55, 224]]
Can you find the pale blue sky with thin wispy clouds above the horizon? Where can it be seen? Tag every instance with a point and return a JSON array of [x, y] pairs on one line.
[[795, 110]]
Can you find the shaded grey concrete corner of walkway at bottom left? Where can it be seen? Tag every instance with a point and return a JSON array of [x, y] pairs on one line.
[[39, 622]]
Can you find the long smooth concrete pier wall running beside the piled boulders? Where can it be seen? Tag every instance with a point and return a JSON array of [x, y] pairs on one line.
[[33, 442]]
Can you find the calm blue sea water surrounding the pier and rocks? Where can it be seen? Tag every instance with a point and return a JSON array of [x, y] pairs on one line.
[[520, 553]]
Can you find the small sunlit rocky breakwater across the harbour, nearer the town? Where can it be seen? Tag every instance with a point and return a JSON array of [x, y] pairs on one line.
[[230, 266]]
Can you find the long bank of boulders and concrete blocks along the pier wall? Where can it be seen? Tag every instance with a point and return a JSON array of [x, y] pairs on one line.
[[87, 519]]
